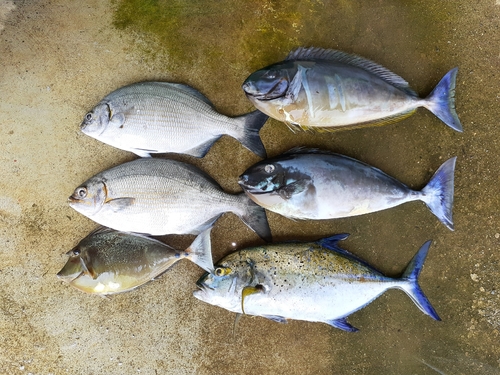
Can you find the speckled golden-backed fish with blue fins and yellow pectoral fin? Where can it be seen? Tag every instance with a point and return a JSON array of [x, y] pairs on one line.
[[315, 282]]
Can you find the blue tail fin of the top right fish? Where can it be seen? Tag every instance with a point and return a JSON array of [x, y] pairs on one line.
[[441, 101]]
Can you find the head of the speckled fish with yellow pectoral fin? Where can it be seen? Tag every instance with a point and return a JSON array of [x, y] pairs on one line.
[[224, 285]]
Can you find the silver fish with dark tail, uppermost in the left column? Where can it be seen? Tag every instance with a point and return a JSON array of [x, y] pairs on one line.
[[160, 117]]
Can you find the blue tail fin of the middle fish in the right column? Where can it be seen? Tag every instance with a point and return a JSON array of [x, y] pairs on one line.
[[438, 194]]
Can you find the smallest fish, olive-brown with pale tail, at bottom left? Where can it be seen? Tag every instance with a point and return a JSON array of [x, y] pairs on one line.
[[108, 262]]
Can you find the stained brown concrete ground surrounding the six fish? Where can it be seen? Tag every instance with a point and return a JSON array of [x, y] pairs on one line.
[[59, 58]]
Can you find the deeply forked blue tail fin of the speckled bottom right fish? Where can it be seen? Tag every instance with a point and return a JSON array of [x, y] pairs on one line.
[[410, 282]]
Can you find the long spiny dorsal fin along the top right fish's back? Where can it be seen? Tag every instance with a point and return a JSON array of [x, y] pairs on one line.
[[314, 53]]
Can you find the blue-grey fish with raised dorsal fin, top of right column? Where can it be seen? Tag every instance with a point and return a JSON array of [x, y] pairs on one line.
[[324, 89]]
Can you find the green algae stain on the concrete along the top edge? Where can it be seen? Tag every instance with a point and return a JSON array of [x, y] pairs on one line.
[[193, 32]]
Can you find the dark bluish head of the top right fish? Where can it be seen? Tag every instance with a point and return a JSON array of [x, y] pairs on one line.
[[269, 83]]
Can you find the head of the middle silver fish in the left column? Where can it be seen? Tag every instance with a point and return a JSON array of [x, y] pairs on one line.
[[89, 197]]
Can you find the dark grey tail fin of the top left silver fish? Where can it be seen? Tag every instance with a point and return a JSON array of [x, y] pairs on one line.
[[249, 137]]
